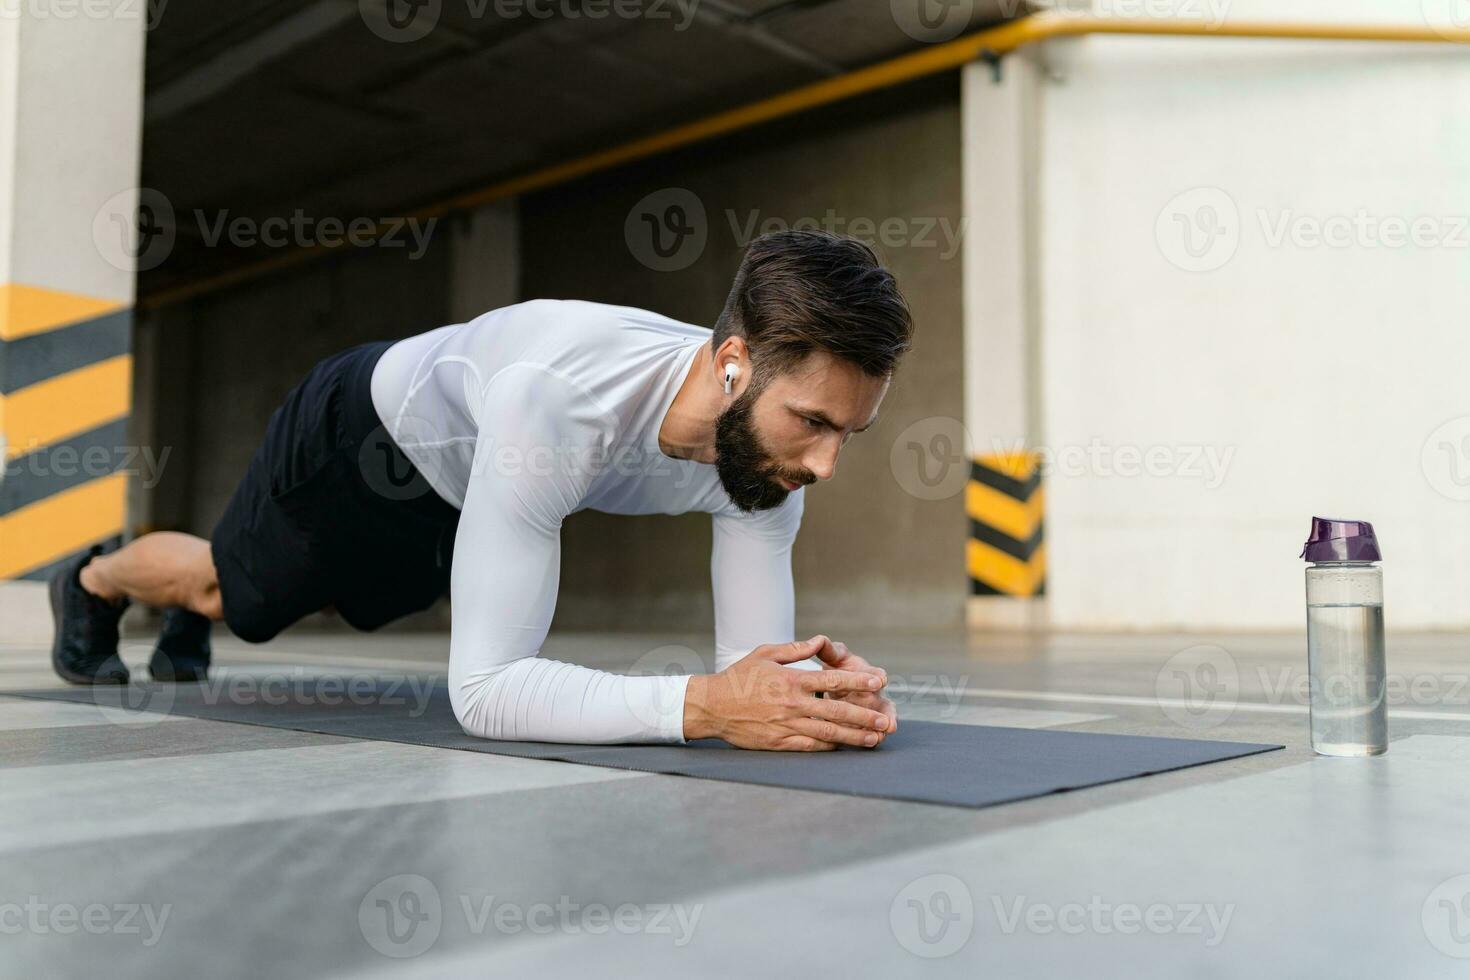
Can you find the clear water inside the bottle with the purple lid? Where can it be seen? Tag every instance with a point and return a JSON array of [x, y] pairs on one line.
[[1346, 656]]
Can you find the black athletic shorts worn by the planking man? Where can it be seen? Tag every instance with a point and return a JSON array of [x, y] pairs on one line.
[[331, 514]]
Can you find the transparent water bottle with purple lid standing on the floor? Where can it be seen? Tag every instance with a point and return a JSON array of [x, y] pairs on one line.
[[1346, 638]]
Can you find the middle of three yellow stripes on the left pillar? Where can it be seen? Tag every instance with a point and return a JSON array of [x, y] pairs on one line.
[[64, 406]]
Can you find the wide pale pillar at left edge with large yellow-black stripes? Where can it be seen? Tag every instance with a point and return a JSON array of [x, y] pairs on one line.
[[71, 95]]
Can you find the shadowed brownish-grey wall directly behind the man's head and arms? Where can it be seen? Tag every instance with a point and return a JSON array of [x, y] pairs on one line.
[[871, 553]]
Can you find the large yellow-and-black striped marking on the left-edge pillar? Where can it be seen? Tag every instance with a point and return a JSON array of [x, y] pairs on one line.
[[65, 394]]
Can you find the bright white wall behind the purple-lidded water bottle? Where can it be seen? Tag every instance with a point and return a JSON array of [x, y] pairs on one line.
[[1318, 372]]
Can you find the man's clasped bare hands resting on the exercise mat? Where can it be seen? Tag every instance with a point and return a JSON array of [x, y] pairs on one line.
[[759, 703]]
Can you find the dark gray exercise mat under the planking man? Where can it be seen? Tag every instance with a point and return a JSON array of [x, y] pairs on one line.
[[924, 762]]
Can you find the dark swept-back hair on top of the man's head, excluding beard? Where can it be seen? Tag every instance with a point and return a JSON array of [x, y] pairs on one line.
[[803, 292]]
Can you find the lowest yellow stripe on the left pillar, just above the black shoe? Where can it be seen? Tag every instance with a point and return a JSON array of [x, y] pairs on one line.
[[60, 525]]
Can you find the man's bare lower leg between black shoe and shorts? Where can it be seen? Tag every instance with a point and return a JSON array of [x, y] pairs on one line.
[[165, 569]]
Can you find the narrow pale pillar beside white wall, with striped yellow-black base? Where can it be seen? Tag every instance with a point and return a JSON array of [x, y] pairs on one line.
[[1006, 555]]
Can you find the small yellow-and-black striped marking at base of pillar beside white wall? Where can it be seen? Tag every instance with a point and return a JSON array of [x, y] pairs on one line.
[[1005, 500]]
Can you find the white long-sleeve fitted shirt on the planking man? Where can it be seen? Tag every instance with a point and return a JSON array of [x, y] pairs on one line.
[[539, 411]]
